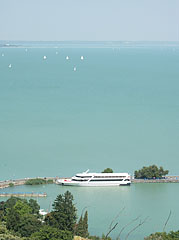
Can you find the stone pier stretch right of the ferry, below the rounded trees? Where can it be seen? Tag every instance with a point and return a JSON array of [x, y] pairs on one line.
[[168, 179]]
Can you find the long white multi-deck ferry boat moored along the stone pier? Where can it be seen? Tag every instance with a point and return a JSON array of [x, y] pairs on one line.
[[96, 179]]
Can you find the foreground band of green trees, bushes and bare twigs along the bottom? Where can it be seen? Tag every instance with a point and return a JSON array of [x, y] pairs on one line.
[[20, 220]]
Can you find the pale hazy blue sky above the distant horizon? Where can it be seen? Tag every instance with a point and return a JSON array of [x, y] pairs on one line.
[[89, 20]]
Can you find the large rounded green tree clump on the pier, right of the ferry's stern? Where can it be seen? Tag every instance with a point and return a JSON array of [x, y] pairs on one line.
[[150, 172]]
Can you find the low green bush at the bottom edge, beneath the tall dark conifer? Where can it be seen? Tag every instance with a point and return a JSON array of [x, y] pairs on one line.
[[51, 233]]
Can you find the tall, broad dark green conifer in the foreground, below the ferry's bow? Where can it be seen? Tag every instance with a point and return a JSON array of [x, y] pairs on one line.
[[63, 215]]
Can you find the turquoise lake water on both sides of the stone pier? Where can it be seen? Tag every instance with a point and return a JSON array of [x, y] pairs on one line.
[[119, 109]]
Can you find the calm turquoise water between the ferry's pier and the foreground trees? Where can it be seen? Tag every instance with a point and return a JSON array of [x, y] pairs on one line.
[[151, 201]]
